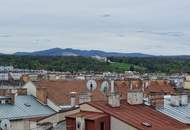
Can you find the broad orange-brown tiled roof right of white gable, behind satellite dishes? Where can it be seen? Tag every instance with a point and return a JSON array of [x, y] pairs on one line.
[[58, 91]]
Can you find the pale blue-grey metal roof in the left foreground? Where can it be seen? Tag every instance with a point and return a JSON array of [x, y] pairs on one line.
[[25, 107]]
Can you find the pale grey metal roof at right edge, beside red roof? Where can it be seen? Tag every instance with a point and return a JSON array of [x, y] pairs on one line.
[[181, 113]]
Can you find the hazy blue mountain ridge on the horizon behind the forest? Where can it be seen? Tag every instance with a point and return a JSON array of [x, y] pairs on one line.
[[78, 52]]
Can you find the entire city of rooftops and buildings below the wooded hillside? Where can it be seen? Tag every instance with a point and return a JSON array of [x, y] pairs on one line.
[[107, 101]]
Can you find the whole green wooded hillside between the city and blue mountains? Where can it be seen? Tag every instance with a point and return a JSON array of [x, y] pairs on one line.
[[118, 64]]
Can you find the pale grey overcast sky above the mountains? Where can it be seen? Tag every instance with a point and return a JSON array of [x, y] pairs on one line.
[[157, 27]]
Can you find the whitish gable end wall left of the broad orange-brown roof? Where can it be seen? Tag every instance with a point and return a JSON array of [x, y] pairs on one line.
[[31, 89]]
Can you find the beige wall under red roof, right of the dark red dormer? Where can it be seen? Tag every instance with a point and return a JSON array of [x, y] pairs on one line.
[[119, 125]]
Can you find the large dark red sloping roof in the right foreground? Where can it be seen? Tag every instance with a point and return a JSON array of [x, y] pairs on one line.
[[135, 115]]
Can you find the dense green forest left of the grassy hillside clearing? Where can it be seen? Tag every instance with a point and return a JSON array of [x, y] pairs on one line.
[[71, 64]]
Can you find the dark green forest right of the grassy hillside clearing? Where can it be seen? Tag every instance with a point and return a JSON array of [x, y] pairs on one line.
[[178, 64]]
